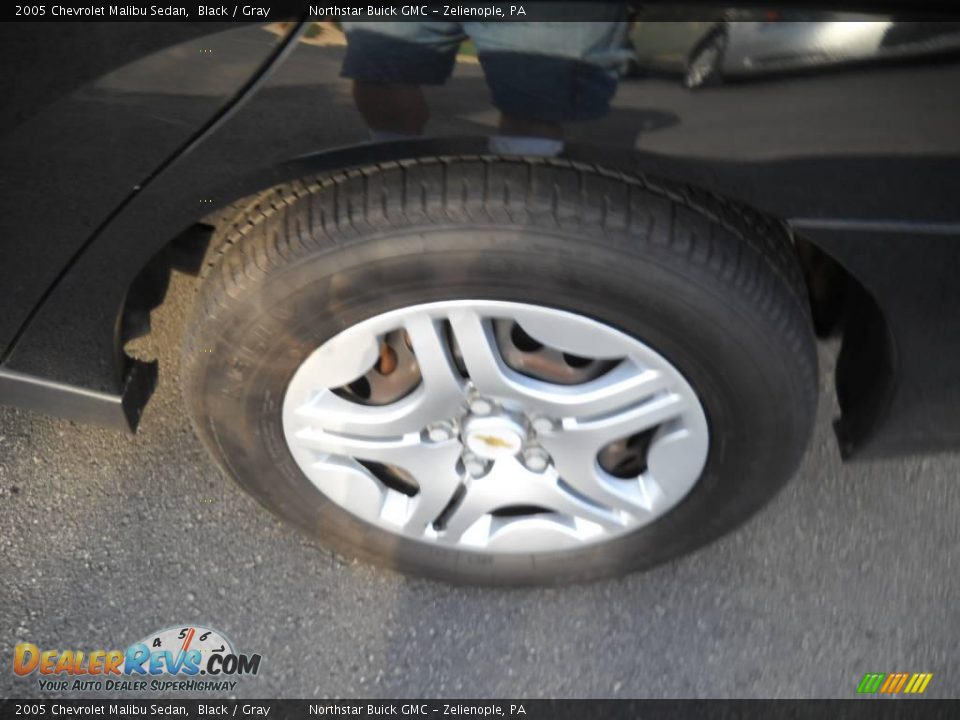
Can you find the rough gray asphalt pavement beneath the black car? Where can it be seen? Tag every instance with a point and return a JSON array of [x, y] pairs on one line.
[[104, 538]]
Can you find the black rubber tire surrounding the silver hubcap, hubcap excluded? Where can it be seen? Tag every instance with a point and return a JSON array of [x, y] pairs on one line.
[[710, 286]]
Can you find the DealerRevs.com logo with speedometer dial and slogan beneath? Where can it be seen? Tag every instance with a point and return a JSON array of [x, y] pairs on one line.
[[181, 658]]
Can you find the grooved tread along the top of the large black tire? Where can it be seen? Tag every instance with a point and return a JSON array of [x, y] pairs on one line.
[[744, 249]]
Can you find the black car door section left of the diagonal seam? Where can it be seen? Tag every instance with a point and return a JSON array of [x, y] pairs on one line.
[[90, 112]]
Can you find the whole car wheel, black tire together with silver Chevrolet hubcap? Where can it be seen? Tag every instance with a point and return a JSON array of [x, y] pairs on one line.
[[499, 371]]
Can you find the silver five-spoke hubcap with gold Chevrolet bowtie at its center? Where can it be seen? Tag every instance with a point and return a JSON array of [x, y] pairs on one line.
[[494, 426]]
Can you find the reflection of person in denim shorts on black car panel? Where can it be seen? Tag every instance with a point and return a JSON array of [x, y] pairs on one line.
[[541, 75]]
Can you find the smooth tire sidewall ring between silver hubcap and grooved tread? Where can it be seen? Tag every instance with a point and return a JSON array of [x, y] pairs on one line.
[[755, 389]]
